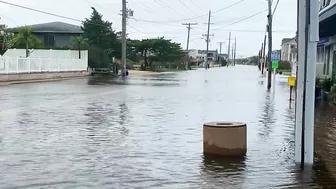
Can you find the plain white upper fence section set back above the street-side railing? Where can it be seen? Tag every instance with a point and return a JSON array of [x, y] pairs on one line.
[[43, 53]]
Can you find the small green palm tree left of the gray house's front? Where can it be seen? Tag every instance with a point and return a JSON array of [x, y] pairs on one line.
[[25, 37]]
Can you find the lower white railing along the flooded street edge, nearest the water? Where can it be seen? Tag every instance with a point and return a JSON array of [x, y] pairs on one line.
[[9, 65]]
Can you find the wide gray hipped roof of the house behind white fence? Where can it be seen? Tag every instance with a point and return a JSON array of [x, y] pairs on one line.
[[53, 27]]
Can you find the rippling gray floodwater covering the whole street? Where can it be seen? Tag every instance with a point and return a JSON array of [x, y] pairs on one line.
[[146, 132]]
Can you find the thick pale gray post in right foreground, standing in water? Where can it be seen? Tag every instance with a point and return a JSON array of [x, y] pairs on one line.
[[308, 27]]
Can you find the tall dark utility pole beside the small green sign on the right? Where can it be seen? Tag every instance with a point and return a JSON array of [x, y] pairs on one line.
[[270, 18]]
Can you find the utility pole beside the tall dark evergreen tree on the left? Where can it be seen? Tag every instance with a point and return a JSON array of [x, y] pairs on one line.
[[123, 40]]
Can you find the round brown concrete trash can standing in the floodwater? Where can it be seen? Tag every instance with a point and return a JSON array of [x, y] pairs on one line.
[[225, 139]]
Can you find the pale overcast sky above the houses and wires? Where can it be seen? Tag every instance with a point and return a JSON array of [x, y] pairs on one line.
[[154, 18]]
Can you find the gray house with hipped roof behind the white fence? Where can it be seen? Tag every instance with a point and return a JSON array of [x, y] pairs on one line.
[[54, 34]]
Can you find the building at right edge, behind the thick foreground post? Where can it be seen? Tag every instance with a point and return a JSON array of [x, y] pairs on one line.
[[326, 48]]
